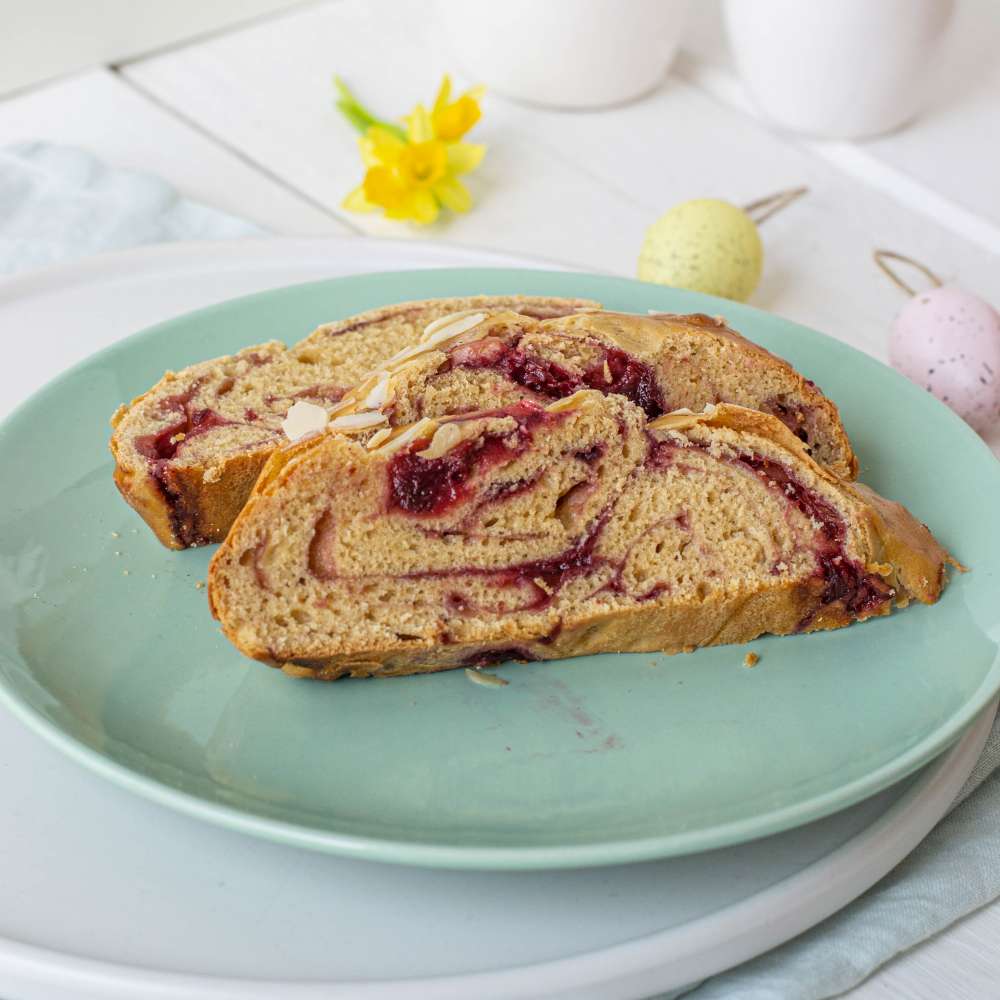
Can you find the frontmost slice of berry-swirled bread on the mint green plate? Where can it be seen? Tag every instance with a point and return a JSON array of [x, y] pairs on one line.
[[536, 532]]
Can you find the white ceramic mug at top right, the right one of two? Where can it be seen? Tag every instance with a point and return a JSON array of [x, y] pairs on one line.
[[837, 68]]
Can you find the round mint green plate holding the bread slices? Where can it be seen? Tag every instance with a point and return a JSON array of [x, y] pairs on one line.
[[108, 650]]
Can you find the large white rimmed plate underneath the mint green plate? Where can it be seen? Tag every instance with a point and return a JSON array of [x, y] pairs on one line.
[[107, 896]]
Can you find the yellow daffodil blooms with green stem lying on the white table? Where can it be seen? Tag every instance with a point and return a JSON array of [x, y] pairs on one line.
[[412, 174]]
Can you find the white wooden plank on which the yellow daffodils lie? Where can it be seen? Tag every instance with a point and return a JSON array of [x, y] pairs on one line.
[[267, 91]]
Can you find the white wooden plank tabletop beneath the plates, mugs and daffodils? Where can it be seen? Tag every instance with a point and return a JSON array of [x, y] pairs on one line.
[[244, 120]]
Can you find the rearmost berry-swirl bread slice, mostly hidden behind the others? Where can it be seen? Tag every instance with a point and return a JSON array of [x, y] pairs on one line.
[[188, 451]]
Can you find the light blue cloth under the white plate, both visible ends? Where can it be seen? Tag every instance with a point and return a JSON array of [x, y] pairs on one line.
[[57, 203]]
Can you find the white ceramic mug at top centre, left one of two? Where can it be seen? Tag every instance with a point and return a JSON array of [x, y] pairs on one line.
[[565, 53]]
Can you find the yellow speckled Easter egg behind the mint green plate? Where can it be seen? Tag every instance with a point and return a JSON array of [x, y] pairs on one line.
[[705, 245]]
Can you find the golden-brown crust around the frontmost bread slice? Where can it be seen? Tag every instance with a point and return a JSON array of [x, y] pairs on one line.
[[897, 547]]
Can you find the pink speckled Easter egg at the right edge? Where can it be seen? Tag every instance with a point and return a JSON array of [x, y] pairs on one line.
[[948, 341]]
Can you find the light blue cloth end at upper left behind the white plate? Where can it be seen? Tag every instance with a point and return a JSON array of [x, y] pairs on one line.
[[57, 203]]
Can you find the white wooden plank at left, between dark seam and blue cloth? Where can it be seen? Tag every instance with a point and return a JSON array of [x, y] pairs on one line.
[[105, 115]]
